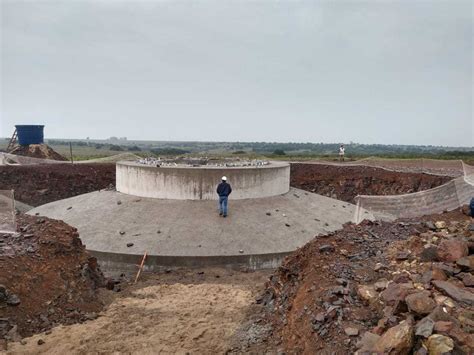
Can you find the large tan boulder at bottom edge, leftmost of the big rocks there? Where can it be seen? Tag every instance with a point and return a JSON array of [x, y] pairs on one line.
[[396, 340]]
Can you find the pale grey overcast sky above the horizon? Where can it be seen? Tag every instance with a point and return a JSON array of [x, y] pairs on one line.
[[397, 72]]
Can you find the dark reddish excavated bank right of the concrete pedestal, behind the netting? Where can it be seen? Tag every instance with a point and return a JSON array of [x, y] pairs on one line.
[[346, 182]]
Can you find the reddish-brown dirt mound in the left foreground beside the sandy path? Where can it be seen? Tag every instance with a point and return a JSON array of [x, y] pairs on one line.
[[46, 278]]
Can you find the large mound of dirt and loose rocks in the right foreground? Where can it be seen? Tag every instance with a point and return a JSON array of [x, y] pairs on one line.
[[378, 287]]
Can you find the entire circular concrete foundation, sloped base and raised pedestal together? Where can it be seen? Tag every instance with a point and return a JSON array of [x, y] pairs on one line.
[[168, 212]]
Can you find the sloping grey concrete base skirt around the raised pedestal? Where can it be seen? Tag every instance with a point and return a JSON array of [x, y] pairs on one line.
[[192, 232]]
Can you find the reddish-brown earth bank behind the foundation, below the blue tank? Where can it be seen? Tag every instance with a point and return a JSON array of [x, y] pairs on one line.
[[39, 184]]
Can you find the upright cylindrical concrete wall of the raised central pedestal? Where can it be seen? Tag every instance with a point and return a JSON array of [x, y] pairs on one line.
[[199, 183]]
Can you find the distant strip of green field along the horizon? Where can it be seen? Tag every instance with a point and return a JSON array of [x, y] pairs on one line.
[[85, 149]]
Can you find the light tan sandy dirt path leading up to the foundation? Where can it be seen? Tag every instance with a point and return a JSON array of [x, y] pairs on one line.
[[178, 312]]
